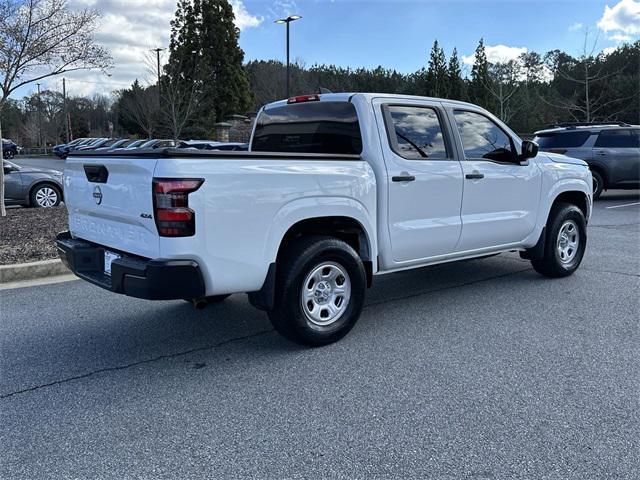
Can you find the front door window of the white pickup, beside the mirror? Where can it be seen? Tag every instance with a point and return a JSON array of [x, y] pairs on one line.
[[482, 138]]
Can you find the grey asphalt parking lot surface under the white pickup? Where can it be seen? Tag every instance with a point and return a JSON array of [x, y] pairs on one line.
[[479, 369]]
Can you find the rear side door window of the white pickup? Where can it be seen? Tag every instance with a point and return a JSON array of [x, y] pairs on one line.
[[416, 132]]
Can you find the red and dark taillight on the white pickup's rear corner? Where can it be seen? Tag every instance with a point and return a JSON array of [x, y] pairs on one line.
[[173, 216]]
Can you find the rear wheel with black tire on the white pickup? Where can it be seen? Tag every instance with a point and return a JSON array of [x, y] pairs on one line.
[[301, 259]]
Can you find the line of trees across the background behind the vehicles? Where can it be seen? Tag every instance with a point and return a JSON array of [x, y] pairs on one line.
[[204, 79]]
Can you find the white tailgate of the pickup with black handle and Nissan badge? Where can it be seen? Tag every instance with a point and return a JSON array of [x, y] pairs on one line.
[[110, 202]]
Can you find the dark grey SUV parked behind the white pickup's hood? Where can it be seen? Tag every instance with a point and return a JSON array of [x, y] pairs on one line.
[[611, 150]]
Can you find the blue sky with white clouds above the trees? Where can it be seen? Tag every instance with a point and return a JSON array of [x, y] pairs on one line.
[[394, 33]]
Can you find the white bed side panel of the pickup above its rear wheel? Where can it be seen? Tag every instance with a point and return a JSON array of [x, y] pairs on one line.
[[244, 207]]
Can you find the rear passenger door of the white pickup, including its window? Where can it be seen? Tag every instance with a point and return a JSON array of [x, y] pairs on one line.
[[424, 179]]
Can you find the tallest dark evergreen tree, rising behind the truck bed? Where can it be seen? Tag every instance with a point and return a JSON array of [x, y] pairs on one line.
[[204, 49]]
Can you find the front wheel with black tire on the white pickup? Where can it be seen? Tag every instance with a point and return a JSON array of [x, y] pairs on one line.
[[563, 218]]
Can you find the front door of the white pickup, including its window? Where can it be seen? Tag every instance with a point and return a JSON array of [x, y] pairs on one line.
[[501, 193]]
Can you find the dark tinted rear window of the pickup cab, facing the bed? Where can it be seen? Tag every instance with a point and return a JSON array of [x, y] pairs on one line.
[[310, 127]]
